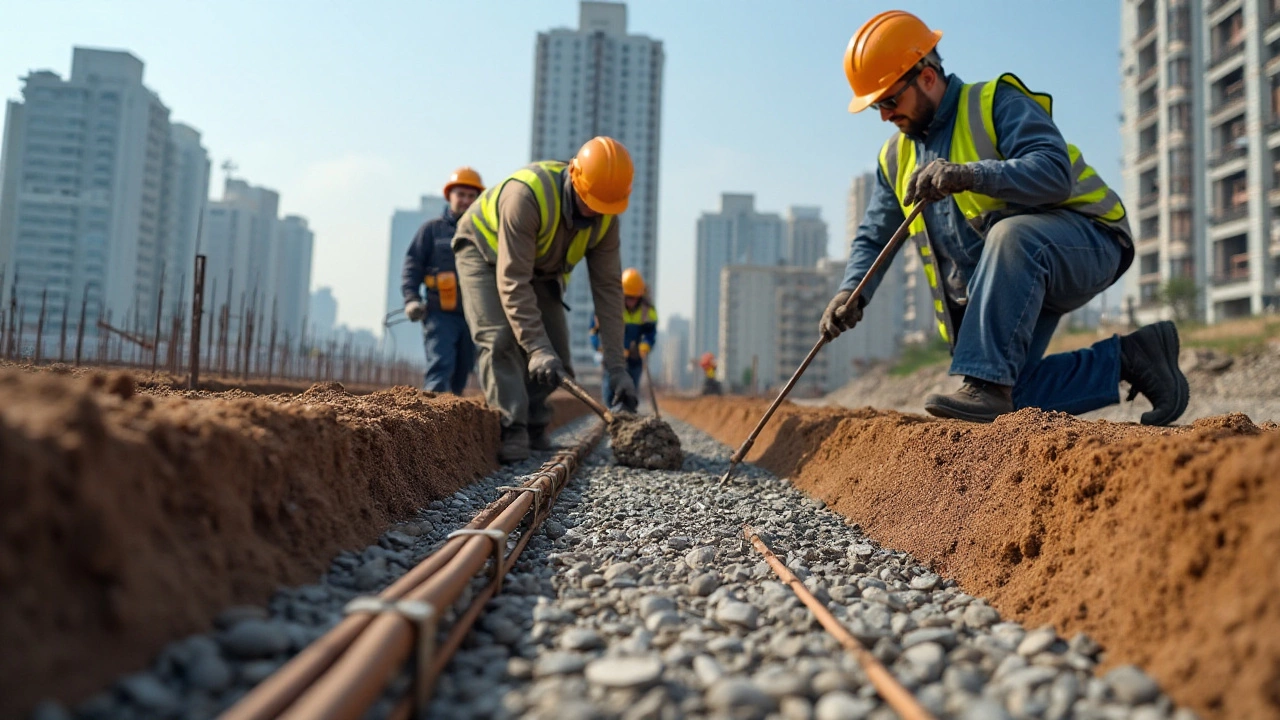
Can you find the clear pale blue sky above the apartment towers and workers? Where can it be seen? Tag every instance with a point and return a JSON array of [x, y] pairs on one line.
[[355, 110]]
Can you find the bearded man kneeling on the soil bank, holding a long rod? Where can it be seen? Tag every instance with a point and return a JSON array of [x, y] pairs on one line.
[[1018, 231]]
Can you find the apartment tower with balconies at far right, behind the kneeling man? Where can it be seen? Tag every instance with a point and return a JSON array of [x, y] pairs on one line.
[[1201, 130]]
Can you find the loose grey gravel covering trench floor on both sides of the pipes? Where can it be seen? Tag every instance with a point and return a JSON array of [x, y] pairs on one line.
[[639, 598]]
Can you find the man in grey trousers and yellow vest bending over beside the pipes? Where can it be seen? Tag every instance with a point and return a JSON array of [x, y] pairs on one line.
[[515, 249]]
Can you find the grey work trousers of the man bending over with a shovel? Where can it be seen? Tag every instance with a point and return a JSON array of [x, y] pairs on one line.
[[504, 364]]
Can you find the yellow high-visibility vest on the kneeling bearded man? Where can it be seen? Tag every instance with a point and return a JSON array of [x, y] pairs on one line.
[[975, 139]]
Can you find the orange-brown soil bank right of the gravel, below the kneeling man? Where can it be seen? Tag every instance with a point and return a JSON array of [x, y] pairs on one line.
[[1162, 544]]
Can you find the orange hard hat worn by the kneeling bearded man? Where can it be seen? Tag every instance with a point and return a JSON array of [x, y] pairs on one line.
[[883, 52]]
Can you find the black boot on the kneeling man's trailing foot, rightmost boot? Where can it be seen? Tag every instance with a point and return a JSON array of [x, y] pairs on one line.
[[1149, 363]]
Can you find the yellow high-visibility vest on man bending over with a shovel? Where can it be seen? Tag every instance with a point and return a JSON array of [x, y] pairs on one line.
[[547, 181]]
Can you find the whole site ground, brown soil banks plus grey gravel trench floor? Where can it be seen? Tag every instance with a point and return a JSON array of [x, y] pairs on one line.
[[173, 549]]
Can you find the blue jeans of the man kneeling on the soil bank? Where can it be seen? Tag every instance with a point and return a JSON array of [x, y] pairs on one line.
[[1035, 270]]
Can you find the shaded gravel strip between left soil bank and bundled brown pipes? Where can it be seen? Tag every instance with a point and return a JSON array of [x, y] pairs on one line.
[[202, 676]]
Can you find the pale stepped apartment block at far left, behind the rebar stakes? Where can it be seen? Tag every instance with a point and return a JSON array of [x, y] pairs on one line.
[[95, 192]]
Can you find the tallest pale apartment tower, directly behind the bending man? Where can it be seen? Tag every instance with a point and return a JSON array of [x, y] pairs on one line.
[[600, 80]]
